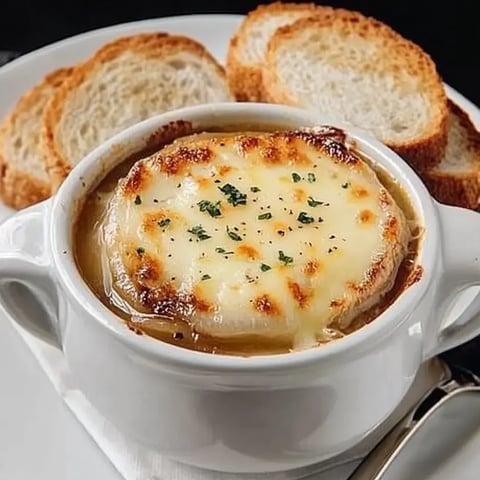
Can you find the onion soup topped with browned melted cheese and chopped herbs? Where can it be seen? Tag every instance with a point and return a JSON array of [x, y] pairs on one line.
[[248, 243]]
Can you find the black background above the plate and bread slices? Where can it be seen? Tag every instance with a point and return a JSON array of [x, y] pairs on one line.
[[448, 30]]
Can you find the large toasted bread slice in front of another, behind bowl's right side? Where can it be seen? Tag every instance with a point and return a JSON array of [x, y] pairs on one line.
[[361, 71]]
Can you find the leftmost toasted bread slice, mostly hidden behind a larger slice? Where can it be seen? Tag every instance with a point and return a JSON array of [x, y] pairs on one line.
[[23, 178]]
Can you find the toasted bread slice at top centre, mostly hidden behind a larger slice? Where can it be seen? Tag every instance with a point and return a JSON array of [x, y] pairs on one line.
[[248, 46]]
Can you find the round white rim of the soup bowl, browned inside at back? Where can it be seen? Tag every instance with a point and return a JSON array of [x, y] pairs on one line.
[[61, 222]]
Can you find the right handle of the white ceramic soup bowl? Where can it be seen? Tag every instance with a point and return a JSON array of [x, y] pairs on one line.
[[460, 230]]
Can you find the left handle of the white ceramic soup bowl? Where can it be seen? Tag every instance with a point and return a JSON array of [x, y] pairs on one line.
[[28, 290]]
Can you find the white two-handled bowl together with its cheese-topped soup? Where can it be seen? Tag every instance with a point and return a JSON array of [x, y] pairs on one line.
[[209, 403]]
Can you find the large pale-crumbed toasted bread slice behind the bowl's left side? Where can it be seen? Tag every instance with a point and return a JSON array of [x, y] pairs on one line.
[[126, 81]]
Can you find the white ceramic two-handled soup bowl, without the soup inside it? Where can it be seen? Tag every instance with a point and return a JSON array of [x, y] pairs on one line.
[[228, 413]]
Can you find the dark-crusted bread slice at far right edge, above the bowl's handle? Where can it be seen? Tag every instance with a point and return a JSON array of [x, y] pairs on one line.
[[456, 180]]
